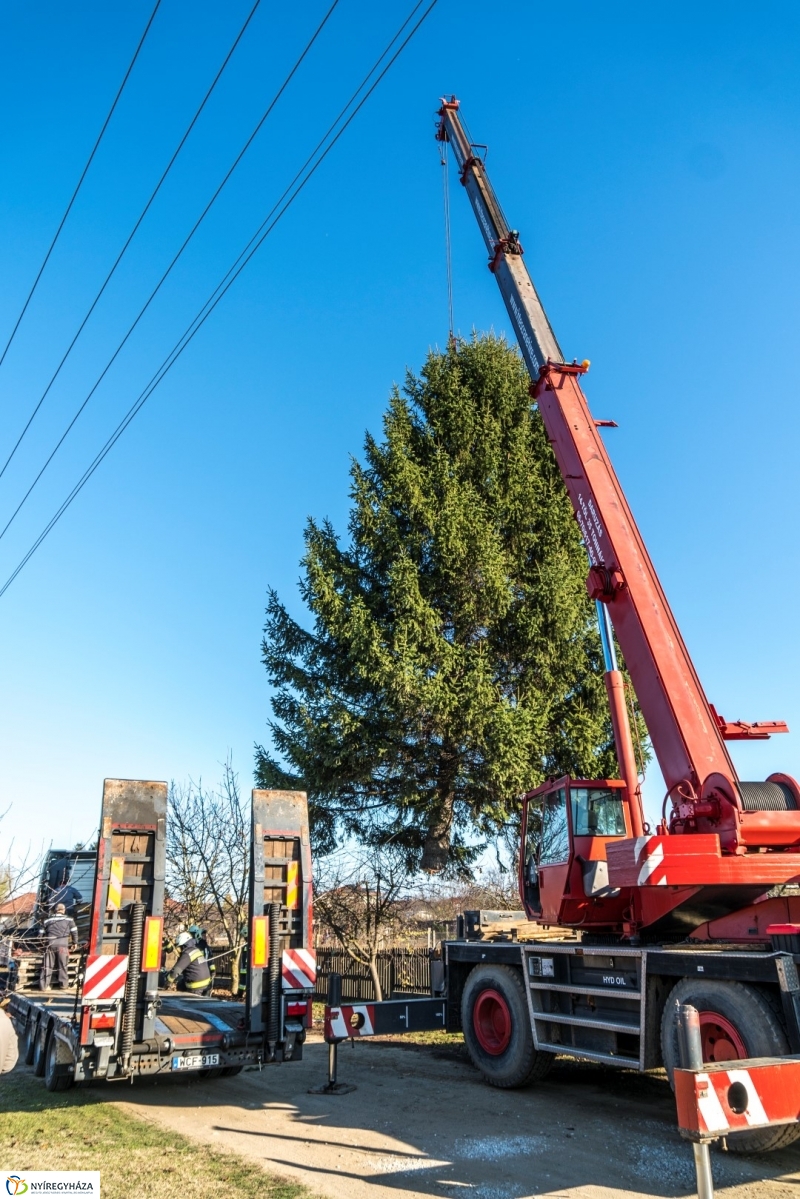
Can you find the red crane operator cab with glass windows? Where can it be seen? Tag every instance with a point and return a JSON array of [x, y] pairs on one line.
[[567, 826]]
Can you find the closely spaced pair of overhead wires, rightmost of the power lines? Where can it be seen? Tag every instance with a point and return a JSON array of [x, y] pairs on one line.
[[230, 278]]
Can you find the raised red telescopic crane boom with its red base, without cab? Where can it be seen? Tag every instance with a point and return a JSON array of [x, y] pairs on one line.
[[727, 816]]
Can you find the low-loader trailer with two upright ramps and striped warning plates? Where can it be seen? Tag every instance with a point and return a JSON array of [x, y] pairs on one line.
[[115, 1023]]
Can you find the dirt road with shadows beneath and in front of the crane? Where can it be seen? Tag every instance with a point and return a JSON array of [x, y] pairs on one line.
[[423, 1124]]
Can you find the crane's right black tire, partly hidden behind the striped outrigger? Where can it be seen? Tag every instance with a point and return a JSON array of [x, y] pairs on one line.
[[757, 1026]]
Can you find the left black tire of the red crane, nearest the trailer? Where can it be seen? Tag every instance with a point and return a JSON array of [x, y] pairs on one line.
[[512, 1061]]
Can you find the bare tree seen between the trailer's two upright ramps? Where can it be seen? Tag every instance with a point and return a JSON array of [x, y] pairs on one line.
[[208, 859]]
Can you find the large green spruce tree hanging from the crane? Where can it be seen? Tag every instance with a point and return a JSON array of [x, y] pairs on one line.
[[454, 660]]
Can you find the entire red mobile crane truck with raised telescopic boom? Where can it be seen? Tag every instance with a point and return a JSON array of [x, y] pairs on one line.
[[703, 911]]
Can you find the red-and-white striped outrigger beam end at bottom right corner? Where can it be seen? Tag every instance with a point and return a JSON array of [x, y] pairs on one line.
[[756, 1094]]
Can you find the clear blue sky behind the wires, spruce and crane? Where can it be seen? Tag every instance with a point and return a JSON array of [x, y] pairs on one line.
[[651, 158]]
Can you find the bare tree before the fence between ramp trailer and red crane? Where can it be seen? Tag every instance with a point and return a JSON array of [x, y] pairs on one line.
[[357, 899]]
